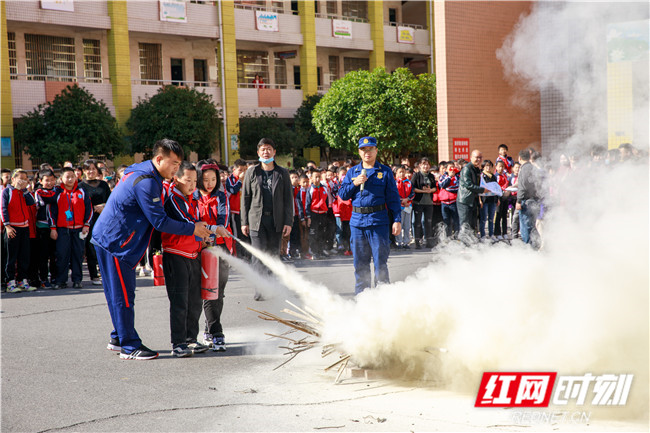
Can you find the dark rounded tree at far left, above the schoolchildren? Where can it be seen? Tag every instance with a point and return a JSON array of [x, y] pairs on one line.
[[72, 124]]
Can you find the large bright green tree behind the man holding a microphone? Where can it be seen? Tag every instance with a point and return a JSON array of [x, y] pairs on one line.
[[398, 109]]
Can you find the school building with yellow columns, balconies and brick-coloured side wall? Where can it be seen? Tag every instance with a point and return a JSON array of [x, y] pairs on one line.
[[122, 51]]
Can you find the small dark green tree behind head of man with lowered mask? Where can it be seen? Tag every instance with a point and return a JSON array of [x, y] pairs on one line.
[[253, 128]]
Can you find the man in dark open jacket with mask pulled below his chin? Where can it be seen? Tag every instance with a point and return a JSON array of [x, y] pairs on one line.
[[266, 202]]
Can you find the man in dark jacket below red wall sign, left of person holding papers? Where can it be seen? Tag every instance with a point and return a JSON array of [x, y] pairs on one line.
[[468, 191]]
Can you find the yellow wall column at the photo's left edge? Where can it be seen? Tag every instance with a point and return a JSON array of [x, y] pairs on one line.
[[6, 110]]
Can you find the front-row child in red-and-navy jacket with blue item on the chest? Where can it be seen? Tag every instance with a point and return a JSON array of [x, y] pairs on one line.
[[70, 216]]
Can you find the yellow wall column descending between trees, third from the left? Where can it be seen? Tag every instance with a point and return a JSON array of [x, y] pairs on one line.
[[229, 78]]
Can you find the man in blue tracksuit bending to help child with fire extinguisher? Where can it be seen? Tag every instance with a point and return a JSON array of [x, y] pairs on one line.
[[121, 236]]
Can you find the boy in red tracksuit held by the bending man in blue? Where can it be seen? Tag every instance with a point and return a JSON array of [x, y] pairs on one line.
[[182, 266]]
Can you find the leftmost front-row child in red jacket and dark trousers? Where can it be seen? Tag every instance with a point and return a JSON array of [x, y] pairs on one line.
[[16, 222]]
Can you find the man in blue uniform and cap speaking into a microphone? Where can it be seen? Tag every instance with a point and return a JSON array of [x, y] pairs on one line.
[[373, 191]]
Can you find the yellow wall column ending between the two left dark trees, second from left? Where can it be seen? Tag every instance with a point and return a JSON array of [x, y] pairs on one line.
[[119, 61]]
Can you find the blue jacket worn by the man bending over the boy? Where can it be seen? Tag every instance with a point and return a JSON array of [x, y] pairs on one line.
[[132, 211]]
